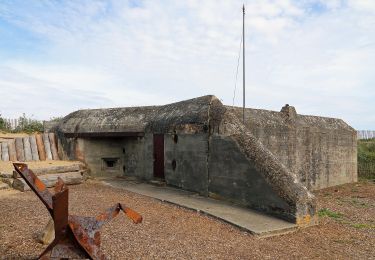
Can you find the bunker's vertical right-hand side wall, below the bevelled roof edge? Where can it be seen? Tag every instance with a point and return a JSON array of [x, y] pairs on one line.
[[321, 158]]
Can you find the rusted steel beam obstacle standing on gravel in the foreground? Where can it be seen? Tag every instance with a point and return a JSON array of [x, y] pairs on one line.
[[76, 237]]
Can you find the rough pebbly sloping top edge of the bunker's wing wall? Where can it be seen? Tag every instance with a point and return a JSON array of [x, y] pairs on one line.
[[284, 182]]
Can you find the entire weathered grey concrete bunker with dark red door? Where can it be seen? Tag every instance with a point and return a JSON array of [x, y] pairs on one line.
[[201, 145]]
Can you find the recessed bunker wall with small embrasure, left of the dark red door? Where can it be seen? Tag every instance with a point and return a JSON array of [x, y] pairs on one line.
[[133, 155]]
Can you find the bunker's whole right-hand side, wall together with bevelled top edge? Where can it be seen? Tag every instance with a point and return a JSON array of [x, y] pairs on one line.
[[322, 151]]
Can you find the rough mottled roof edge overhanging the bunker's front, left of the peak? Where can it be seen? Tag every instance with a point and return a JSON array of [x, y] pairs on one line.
[[136, 120]]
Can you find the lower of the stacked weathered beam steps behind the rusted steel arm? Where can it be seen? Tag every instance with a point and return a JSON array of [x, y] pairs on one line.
[[50, 180]]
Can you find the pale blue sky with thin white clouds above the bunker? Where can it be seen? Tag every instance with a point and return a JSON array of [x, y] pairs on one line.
[[60, 56]]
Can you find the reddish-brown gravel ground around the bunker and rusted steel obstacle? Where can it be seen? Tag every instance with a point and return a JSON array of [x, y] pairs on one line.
[[170, 232]]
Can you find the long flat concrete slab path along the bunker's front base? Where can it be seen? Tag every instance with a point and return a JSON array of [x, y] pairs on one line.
[[252, 221]]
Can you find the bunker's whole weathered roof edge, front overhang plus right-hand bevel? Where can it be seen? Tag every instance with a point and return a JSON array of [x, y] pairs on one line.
[[135, 121]]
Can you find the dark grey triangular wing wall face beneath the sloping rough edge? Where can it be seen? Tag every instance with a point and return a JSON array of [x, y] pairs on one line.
[[233, 177]]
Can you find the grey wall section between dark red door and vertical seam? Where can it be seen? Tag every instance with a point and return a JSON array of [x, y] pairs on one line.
[[186, 158]]
